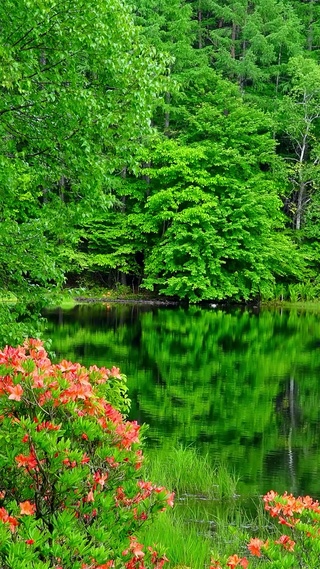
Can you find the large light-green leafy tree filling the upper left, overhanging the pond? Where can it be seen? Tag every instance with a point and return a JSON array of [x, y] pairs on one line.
[[77, 87]]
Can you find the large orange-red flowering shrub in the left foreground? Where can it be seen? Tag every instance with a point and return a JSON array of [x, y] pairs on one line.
[[70, 492]]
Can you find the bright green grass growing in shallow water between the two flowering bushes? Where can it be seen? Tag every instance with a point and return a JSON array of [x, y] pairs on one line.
[[209, 518]]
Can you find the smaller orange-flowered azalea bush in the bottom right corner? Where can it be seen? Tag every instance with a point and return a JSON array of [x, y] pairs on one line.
[[298, 547]]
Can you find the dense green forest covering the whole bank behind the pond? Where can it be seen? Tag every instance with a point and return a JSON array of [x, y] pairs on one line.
[[169, 146]]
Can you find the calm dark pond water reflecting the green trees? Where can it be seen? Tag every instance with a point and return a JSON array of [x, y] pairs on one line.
[[242, 387]]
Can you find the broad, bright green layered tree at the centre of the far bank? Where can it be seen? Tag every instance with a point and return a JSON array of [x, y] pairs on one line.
[[213, 214]]
